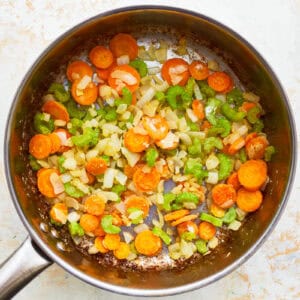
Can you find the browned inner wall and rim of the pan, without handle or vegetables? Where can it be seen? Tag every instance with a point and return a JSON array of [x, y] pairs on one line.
[[201, 33]]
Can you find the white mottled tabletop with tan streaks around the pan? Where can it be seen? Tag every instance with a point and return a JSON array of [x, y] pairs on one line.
[[273, 26]]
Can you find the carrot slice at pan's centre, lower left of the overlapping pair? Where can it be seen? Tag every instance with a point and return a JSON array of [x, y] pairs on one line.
[[136, 142]]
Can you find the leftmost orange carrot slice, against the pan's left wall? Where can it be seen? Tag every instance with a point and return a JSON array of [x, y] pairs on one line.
[[40, 146]]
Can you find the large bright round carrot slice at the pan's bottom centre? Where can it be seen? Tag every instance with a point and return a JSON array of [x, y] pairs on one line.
[[148, 243]]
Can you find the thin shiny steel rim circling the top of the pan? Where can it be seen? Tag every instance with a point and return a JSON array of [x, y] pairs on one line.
[[165, 291]]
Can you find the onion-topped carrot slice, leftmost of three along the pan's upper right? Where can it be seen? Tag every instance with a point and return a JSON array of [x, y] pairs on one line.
[[175, 71]]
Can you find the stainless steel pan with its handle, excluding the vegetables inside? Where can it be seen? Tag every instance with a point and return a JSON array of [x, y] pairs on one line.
[[254, 73]]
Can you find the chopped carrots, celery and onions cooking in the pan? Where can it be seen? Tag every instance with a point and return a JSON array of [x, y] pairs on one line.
[[140, 157]]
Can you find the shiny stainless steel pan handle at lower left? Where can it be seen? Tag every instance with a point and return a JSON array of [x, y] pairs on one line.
[[20, 268]]
